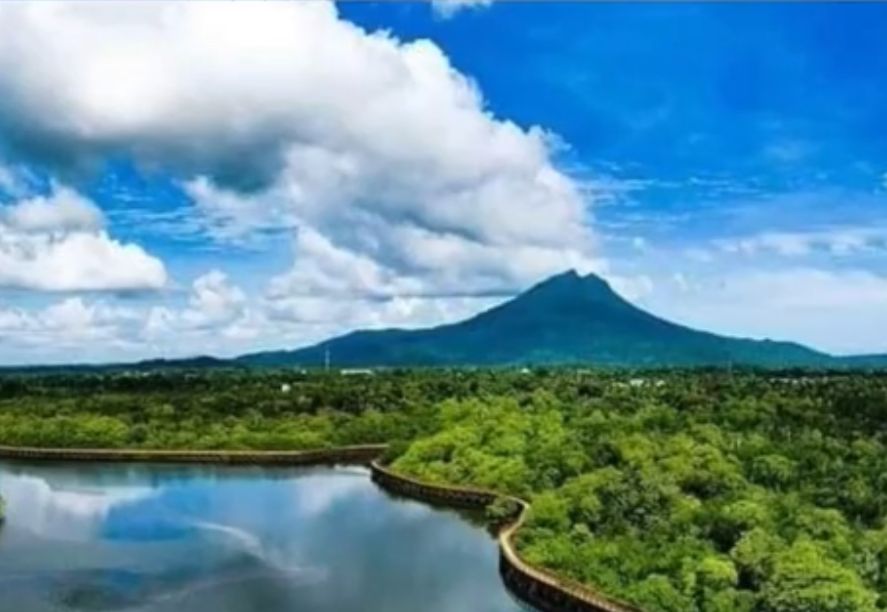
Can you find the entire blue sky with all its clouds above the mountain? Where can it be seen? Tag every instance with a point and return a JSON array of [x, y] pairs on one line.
[[198, 177]]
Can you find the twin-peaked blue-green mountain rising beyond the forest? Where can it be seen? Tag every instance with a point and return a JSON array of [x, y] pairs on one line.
[[567, 319]]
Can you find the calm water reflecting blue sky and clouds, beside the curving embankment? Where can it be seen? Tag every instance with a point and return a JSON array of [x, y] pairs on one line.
[[171, 539]]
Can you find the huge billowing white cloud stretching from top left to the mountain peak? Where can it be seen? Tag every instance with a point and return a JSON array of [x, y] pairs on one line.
[[382, 155]]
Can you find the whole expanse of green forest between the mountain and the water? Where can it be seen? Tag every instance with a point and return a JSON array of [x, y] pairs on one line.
[[674, 490]]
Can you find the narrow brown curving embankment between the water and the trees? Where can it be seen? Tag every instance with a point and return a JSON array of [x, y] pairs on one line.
[[540, 588]]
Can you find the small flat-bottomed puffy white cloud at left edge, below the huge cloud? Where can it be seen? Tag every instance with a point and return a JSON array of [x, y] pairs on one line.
[[56, 242]]
